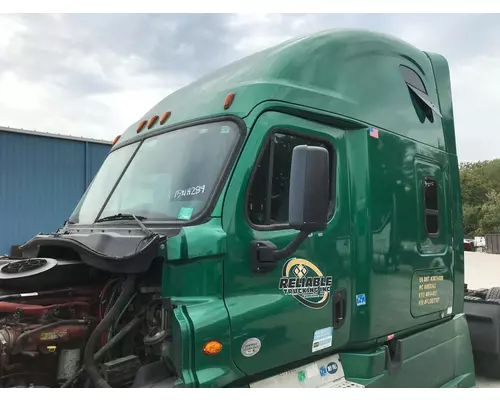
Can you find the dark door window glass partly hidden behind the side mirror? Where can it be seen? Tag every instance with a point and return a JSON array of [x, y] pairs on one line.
[[268, 195]]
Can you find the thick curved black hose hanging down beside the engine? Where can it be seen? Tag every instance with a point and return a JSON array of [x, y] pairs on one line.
[[88, 358]]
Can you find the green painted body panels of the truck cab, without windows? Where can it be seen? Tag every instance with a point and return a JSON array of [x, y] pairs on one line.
[[333, 86]]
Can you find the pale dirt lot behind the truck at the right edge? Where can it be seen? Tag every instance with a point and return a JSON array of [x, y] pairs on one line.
[[482, 270]]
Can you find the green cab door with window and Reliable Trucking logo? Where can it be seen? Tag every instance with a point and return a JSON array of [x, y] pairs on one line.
[[300, 308]]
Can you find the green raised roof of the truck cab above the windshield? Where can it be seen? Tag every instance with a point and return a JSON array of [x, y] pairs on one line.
[[351, 73]]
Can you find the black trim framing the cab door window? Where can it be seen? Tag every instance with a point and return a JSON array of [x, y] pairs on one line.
[[288, 131]]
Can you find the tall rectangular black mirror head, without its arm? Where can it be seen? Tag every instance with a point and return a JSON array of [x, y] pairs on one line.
[[309, 189]]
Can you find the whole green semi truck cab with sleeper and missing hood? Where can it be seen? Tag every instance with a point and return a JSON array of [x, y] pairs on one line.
[[291, 220]]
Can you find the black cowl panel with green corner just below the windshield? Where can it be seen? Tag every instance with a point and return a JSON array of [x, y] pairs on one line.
[[130, 251]]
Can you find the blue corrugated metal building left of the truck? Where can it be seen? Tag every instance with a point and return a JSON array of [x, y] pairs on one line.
[[42, 177]]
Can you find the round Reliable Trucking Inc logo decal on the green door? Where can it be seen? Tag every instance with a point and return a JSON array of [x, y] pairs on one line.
[[305, 282]]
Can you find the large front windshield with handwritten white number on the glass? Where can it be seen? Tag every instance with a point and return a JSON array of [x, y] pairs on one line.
[[169, 178]]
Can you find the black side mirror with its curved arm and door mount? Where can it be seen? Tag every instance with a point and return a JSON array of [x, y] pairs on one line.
[[308, 205]]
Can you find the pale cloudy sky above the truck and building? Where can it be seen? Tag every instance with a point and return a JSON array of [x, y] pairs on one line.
[[93, 75]]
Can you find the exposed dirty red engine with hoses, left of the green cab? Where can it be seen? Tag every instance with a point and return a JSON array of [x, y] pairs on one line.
[[65, 324]]
